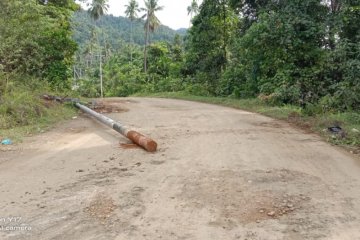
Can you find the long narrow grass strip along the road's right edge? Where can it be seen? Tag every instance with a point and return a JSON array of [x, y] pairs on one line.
[[349, 121]]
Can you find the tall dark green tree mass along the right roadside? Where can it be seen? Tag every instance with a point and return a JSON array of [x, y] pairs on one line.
[[287, 51]]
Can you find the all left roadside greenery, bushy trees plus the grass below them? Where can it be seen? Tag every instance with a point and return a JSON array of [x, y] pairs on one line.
[[36, 52]]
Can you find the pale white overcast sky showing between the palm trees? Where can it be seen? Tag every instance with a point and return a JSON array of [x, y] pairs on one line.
[[174, 14]]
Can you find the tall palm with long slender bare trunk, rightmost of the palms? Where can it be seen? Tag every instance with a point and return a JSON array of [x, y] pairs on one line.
[[151, 23]]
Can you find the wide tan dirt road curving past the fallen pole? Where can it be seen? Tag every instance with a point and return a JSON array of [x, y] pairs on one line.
[[220, 173]]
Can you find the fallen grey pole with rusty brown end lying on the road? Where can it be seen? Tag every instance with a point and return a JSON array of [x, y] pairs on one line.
[[147, 143]]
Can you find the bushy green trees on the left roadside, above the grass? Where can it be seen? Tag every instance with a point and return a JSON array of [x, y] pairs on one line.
[[35, 40]]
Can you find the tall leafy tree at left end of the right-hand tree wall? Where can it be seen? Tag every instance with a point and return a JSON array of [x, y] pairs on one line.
[[208, 42]]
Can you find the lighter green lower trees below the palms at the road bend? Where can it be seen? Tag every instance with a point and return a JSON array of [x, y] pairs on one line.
[[123, 76]]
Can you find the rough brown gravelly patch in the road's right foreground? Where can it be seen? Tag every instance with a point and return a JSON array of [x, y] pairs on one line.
[[243, 197]]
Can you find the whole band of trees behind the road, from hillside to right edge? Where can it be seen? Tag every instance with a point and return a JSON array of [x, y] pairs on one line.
[[302, 52]]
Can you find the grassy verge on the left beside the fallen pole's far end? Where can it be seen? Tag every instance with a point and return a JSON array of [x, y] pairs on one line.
[[23, 113]]
